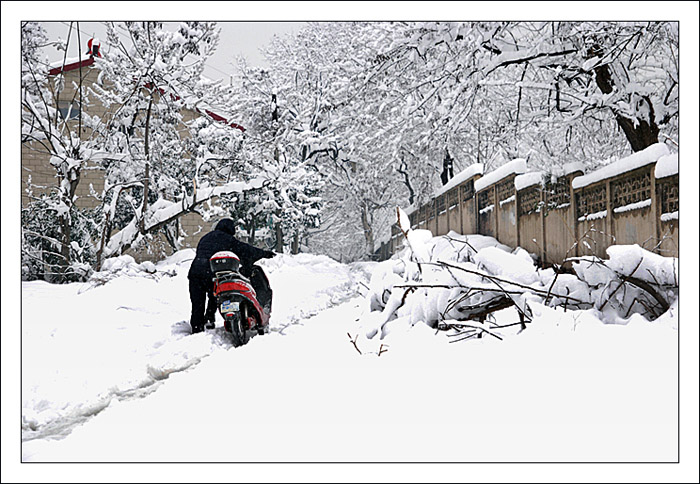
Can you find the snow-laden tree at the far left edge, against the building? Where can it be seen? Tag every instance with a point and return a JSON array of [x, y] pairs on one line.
[[55, 233]]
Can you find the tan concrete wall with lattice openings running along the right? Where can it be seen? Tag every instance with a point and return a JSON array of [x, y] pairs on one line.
[[631, 208]]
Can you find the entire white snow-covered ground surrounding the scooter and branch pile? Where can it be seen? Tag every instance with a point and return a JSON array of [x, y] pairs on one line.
[[107, 376]]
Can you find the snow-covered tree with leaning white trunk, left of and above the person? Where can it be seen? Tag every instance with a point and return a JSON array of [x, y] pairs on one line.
[[170, 162]]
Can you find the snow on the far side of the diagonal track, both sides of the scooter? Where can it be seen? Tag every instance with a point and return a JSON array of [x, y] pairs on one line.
[[87, 346]]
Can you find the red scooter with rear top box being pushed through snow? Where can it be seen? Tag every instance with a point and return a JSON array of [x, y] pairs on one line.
[[236, 299]]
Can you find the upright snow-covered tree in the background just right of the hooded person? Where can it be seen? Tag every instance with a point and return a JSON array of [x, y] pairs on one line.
[[285, 111]]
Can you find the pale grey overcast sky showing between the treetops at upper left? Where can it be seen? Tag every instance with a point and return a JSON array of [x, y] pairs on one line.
[[237, 38]]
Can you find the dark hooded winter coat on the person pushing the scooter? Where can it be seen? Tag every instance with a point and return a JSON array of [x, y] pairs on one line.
[[221, 238]]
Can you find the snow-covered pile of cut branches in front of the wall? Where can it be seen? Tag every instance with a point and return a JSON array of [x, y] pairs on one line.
[[457, 282]]
